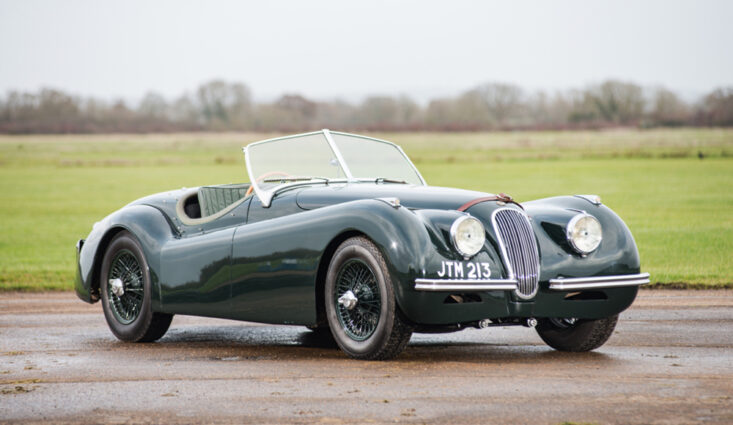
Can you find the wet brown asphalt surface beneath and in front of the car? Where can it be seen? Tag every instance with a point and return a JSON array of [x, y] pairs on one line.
[[670, 361]]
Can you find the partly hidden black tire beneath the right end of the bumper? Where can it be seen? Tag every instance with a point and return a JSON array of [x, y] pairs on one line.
[[582, 335]]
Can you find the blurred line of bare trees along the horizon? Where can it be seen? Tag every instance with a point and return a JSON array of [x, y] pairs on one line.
[[225, 106]]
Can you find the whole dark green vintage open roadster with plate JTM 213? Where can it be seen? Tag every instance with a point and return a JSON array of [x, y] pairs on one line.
[[340, 233]]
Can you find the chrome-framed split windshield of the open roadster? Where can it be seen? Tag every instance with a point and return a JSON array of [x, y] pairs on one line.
[[325, 156]]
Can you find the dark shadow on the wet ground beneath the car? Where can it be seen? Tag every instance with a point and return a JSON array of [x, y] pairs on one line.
[[292, 342]]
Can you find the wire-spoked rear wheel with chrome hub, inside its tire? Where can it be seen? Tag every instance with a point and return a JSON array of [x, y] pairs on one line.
[[127, 302]]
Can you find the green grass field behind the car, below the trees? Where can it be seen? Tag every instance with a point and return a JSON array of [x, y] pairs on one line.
[[678, 206]]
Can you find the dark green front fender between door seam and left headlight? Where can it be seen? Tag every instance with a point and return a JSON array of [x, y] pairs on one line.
[[275, 262]]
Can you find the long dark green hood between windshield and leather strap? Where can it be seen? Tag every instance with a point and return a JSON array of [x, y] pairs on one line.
[[410, 196]]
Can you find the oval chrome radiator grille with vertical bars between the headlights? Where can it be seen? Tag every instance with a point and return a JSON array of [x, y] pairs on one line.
[[519, 249]]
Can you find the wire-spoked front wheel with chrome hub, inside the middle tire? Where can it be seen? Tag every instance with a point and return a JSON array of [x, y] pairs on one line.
[[360, 321]]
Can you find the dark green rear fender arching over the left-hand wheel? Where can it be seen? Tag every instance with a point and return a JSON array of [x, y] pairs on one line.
[[151, 228]]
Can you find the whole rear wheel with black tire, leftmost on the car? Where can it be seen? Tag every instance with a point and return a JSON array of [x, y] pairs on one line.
[[130, 315]]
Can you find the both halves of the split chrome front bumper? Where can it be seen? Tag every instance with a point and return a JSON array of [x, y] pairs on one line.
[[560, 284]]
